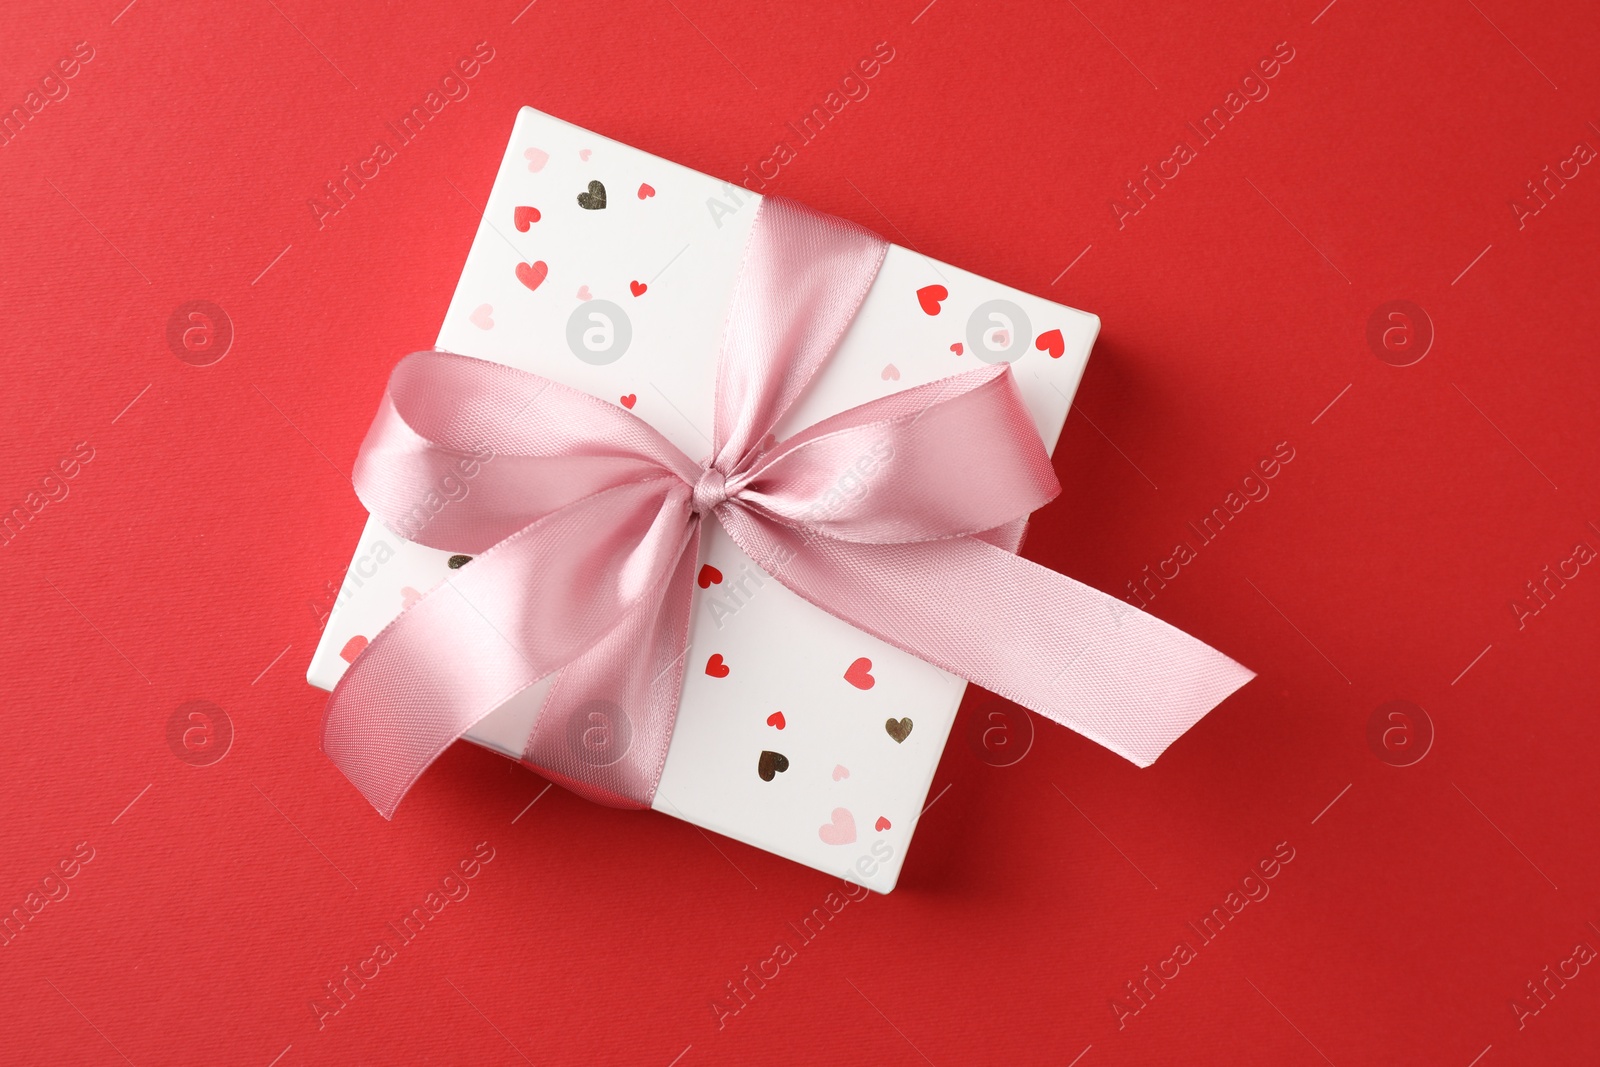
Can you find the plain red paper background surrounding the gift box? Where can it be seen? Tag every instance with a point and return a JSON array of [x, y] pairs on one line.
[[194, 546]]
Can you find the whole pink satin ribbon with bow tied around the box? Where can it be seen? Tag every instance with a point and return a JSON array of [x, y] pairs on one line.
[[585, 527]]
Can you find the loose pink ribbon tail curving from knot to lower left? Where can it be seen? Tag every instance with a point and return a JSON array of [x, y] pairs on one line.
[[490, 631]]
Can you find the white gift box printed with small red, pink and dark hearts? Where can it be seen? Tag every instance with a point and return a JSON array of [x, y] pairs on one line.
[[610, 271]]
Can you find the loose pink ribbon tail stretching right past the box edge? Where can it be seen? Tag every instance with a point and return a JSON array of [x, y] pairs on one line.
[[1082, 658]]
